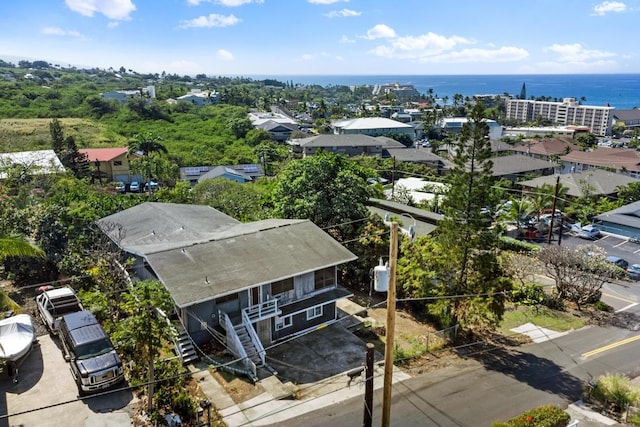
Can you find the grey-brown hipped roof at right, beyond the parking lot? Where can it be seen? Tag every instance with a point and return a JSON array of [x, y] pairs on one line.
[[602, 182]]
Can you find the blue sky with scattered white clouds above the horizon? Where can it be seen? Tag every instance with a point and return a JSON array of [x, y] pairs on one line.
[[289, 37]]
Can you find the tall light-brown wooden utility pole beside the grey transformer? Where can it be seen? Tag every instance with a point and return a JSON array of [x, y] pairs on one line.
[[391, 324]]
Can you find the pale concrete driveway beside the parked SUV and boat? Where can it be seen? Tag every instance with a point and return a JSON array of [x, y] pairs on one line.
[[46, 394]]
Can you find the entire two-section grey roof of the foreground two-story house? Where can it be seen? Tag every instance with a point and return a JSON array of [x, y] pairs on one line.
[[200, 253]]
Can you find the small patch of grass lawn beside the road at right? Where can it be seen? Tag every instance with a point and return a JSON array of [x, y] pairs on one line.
[[540, 316]]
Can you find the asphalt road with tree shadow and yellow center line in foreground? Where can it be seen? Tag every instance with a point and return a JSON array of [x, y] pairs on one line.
[[497, 386]]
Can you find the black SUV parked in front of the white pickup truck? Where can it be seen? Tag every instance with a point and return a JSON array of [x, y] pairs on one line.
[[94, 363]]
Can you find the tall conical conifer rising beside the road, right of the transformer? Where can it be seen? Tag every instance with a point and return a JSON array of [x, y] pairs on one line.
[[466, 262]]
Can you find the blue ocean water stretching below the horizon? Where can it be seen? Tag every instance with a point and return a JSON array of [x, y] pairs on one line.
[[617, 90]]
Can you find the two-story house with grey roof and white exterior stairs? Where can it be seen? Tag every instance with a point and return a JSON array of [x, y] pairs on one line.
[[250, 284]]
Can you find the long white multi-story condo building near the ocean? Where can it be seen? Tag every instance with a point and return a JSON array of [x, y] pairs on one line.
[[567, 112]]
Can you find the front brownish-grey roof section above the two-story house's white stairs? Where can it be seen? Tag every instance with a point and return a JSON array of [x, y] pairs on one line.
[[199, 272]]
